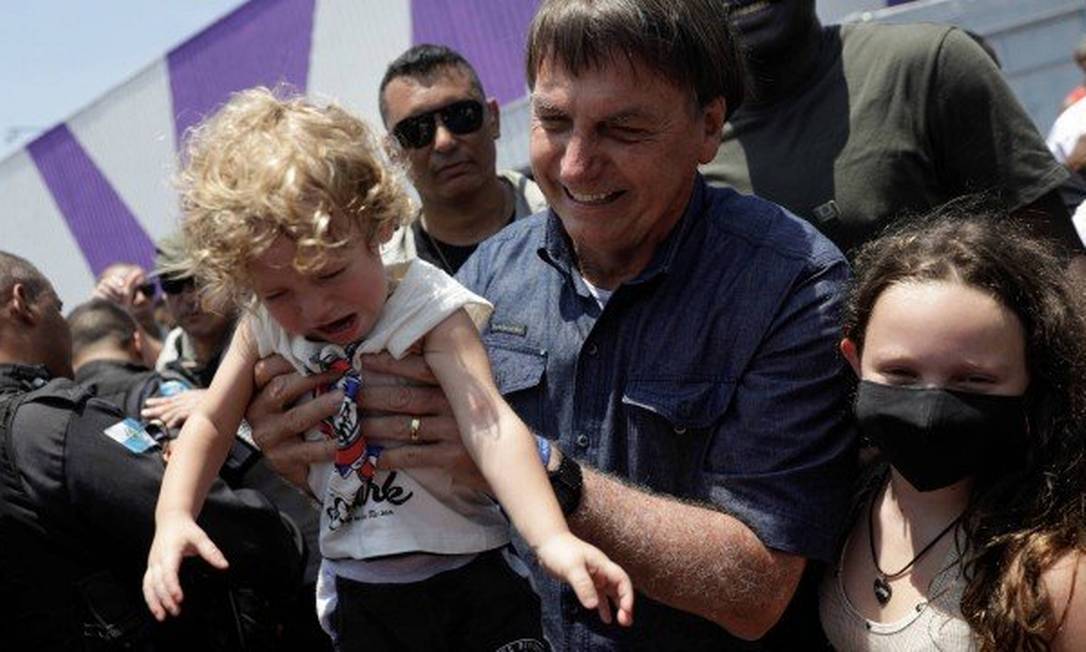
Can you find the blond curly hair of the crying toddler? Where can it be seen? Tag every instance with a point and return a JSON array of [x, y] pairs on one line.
[[270, 164]]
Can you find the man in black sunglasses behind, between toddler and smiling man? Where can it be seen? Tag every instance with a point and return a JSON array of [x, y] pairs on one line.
[[444, 129]]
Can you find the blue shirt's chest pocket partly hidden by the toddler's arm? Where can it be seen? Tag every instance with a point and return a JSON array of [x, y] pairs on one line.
[[520, 374]]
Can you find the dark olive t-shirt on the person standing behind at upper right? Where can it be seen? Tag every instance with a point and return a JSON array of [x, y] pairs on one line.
[[896, 120]]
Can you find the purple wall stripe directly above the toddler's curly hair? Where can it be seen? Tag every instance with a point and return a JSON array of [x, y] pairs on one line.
[[262, 43]]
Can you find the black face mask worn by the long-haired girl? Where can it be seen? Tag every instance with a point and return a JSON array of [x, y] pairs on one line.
[[937, 437]]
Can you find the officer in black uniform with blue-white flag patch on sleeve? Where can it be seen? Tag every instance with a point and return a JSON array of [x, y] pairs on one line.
[[78, 496]]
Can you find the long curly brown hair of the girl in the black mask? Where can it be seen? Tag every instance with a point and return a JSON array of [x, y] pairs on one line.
[[1030, 512]]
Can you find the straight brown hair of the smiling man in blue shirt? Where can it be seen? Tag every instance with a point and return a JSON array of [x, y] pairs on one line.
[[689, 42]]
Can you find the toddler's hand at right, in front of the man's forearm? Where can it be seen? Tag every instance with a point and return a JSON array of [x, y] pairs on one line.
[[597, 581]]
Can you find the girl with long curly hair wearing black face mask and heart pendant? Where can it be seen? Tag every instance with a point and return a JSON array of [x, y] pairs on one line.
[[970, 347]]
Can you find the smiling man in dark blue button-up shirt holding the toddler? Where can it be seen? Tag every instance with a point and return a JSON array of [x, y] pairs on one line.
[[678, 342]]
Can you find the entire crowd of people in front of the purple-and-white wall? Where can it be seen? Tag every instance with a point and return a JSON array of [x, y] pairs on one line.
[[781, 345]]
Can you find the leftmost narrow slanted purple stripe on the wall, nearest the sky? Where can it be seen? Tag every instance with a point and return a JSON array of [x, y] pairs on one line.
[[103, 225]]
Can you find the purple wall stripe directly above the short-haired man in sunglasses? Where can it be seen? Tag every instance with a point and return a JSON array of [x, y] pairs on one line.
[[491, 35]]
